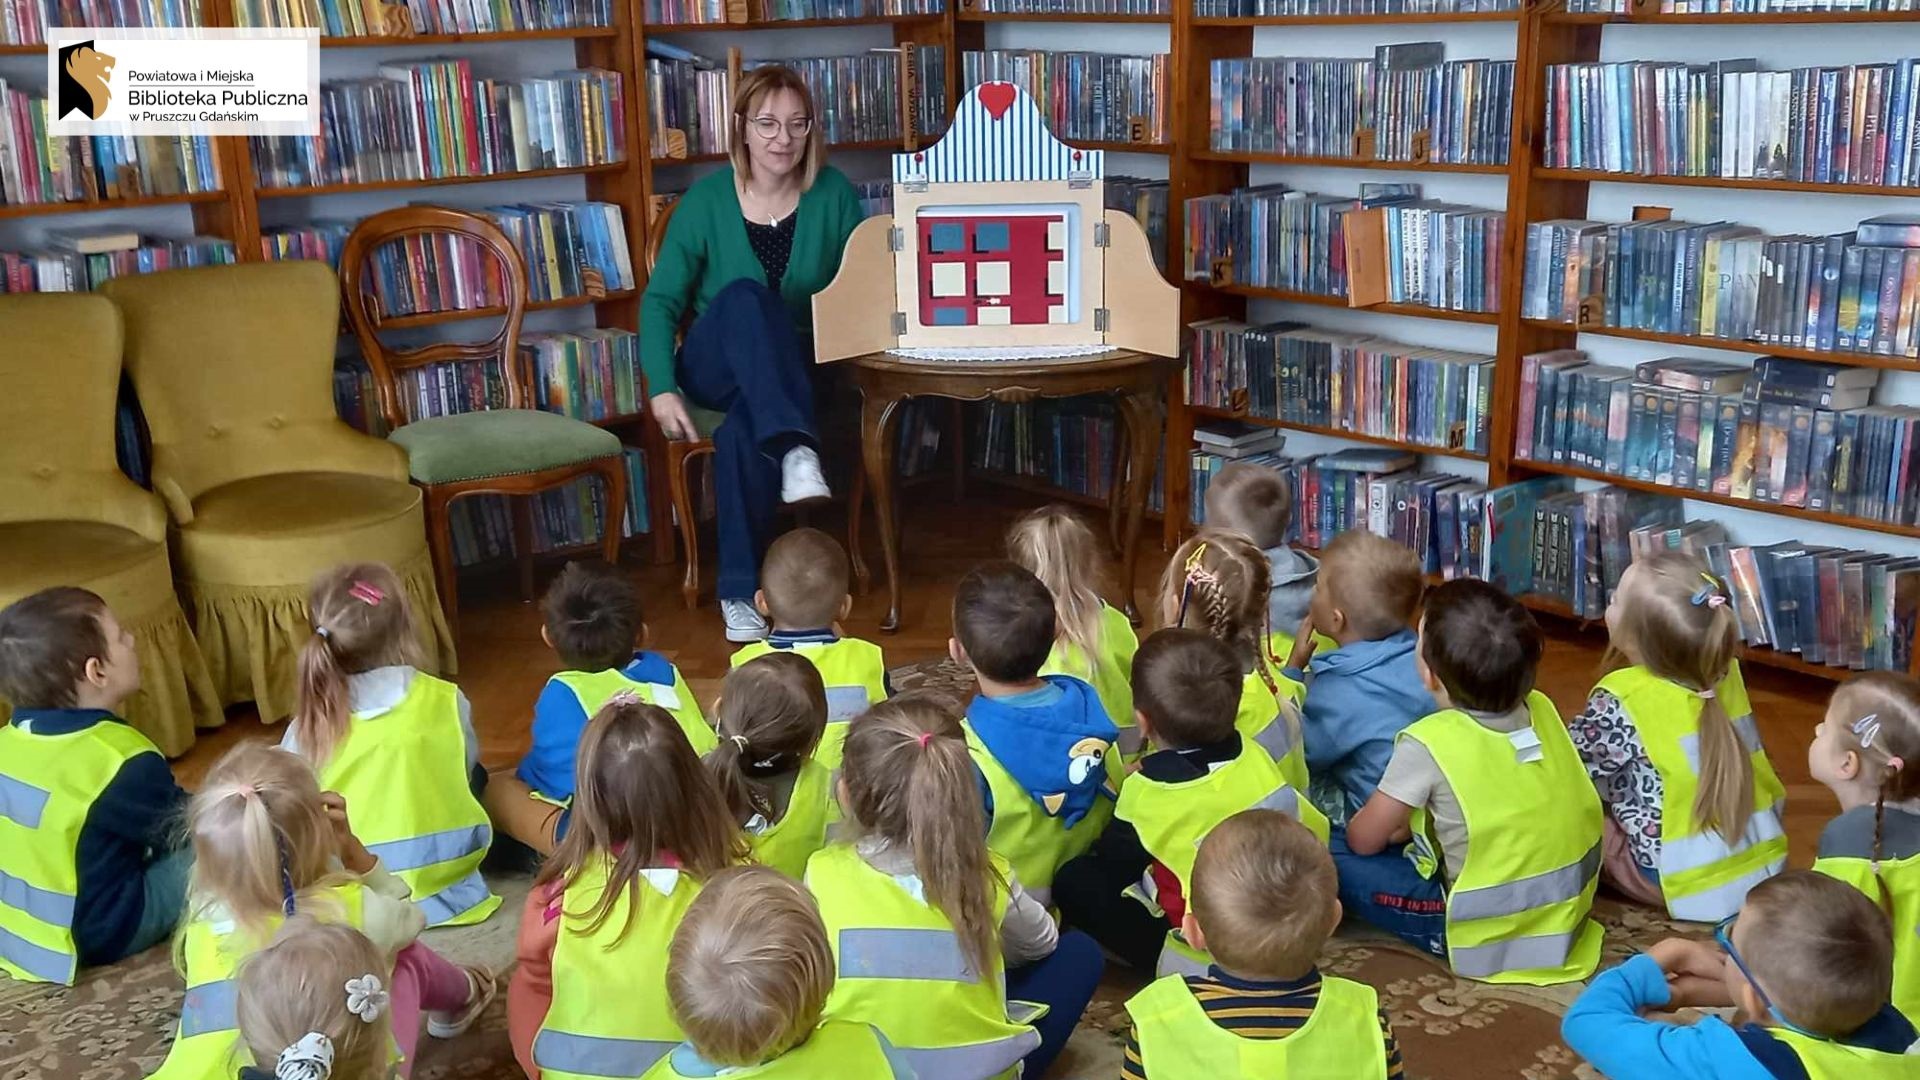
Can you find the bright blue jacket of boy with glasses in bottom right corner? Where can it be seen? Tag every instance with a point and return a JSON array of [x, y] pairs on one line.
[[1608, 1031]]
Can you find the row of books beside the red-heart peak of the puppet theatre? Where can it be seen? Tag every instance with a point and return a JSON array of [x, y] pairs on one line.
[[1090, 97]]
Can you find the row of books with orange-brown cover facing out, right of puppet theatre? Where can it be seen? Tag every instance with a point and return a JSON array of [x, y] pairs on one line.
[[1274, 237]]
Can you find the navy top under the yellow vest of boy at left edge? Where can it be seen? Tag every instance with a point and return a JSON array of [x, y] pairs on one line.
[[135, 820]]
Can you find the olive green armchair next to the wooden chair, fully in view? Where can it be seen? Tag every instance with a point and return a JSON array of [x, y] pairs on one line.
[[266, 483]]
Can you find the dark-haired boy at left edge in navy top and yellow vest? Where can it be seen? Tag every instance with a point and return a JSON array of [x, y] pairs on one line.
[[89, 812]]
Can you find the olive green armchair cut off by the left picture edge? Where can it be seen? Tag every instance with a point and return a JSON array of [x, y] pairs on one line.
[[68, 516]]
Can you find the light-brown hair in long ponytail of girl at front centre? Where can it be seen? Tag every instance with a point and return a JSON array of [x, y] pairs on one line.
[[911, 781]]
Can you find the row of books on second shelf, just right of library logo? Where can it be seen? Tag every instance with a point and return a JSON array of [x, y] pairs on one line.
[[435, 120]]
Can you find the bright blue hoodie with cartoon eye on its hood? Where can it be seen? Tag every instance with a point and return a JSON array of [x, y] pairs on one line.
[[1045, 741]]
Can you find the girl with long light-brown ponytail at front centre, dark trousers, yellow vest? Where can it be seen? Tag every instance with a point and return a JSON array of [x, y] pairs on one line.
[[924, 921]]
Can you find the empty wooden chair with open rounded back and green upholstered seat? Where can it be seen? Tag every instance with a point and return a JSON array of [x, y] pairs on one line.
[[517, 451]]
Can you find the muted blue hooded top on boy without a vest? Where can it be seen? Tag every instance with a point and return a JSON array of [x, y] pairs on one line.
[[1360, 697]]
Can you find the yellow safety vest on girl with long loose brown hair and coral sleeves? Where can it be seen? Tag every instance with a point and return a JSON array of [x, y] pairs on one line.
[[583, 1039]]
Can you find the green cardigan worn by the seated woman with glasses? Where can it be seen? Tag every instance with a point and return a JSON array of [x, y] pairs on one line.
[[708, 249]]
